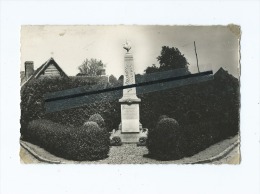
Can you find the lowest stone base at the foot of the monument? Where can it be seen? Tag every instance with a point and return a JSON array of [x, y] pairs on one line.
[[129, 137]]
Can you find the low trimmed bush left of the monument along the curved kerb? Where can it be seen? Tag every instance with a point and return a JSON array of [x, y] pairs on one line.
[[88, 142]]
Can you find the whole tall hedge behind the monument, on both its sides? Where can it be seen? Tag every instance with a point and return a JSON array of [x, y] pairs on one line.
[[207, 101]]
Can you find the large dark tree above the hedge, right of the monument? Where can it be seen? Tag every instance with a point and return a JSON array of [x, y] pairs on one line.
[[170, 58]]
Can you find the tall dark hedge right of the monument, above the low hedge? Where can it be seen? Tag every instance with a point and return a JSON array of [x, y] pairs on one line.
[[217, 99]]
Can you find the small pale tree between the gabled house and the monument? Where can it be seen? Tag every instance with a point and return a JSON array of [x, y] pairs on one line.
[[92, 67]]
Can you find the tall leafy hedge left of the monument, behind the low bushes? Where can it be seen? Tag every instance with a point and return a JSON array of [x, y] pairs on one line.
[[32, 103]]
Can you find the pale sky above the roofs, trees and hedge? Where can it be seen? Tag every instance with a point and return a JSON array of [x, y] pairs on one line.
[[217, 46]]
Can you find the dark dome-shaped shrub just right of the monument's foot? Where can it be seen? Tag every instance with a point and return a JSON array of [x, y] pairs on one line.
[[165, 141]]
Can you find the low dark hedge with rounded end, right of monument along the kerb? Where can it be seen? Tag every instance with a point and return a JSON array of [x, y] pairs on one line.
[[169, 141]]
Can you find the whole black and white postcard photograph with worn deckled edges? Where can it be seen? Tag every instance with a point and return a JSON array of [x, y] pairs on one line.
[[130, 94]]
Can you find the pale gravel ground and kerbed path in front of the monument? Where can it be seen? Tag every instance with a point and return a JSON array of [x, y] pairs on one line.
[[131, 154]]
